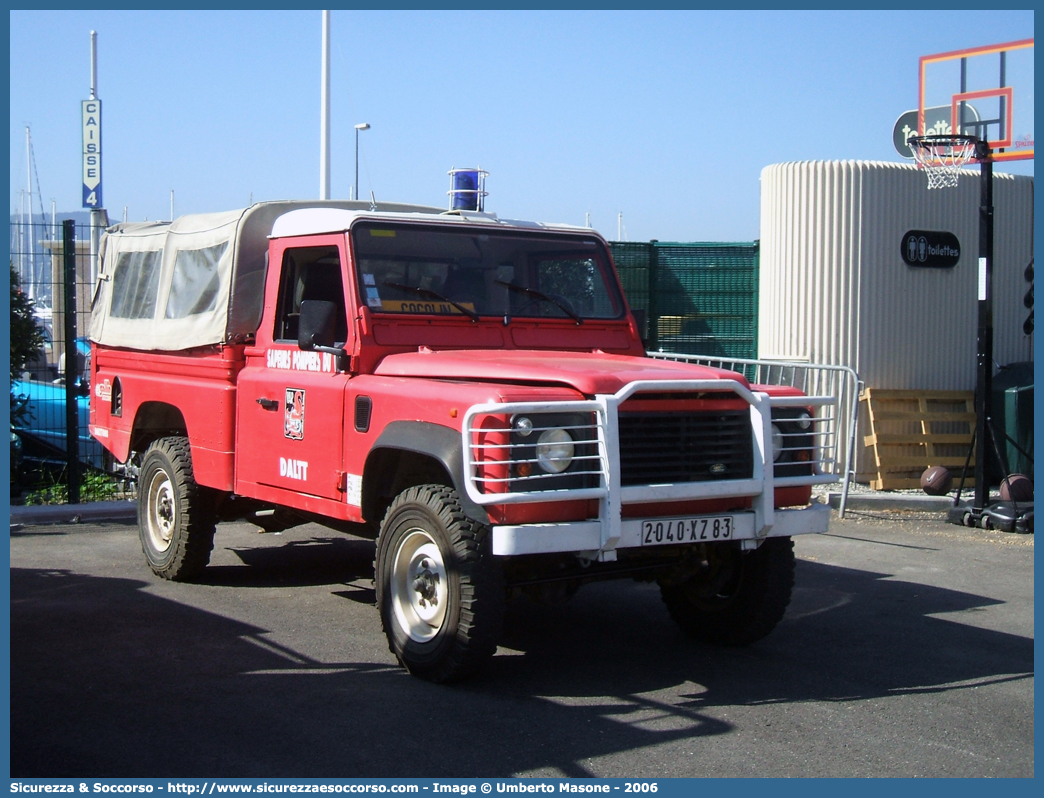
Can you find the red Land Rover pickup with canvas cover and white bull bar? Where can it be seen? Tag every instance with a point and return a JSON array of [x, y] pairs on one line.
[[472, 392]]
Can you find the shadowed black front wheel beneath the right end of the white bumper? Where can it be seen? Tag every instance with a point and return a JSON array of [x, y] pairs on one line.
[[740, 599]]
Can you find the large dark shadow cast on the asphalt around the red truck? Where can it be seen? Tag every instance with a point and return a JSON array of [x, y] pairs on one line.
[[110, 680]]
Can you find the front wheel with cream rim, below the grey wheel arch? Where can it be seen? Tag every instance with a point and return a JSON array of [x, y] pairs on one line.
[[440, 592]]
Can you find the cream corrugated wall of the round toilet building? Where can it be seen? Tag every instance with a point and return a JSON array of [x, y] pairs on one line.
[[835, 289]]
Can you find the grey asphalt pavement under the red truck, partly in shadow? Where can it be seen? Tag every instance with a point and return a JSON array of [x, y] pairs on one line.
[[908, 651]]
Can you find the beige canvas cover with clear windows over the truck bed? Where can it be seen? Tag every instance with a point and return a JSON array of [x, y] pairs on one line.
[[196, 281]]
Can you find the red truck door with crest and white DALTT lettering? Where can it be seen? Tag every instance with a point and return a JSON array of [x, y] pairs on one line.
[[290, 432]]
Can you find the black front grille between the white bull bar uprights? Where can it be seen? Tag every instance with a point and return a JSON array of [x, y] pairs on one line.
[[658, 449]]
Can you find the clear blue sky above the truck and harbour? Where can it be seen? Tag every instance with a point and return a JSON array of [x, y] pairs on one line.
[[668, 118]]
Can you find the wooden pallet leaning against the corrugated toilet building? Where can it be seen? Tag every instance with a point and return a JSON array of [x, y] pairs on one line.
[[911, 431]]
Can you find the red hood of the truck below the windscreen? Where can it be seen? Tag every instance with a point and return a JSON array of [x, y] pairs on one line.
[[588, 372]]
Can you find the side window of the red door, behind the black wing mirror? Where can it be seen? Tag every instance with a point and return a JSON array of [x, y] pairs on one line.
[[310, 273]]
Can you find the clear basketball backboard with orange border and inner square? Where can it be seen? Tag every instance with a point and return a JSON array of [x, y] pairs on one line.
[[998, 82]]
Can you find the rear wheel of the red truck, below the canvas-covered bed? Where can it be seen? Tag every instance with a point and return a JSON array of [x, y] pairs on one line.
[[176, 519]]
